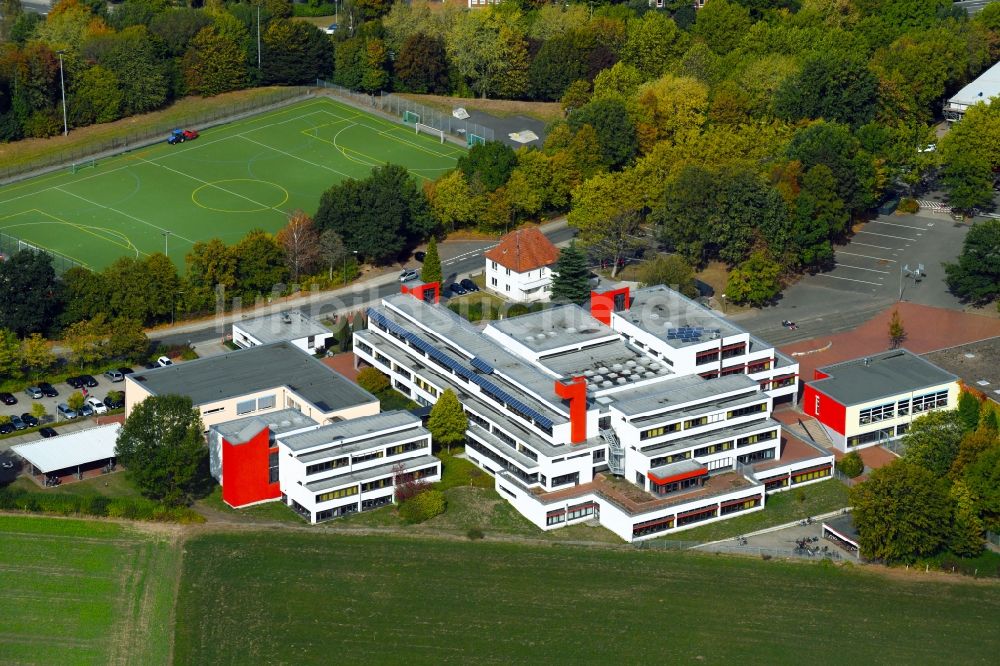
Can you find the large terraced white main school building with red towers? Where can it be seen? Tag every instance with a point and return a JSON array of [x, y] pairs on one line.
[[649, 414]]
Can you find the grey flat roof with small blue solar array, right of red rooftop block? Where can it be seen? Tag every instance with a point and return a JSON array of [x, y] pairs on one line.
[[659, 311]]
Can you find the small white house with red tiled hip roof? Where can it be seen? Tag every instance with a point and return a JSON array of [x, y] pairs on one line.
[[520, 267]]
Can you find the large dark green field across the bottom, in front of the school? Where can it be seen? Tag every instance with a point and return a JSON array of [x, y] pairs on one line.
[[318, 598]]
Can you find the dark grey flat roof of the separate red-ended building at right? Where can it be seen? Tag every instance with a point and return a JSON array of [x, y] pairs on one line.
[[879, 376]]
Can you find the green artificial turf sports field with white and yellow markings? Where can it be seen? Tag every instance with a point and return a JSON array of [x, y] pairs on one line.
[[233, 178]]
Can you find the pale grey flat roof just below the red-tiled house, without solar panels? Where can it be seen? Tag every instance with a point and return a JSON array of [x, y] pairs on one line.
[[554, 328]]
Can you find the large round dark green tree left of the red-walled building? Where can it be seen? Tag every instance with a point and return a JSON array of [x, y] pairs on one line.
[[162, 446]]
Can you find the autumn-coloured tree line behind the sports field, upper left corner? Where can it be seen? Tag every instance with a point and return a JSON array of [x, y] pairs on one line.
[[139, 55]]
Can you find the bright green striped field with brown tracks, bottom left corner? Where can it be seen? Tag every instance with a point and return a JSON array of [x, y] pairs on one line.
[[85, 592]]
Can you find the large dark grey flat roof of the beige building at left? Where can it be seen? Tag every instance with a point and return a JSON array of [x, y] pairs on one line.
[[259, 368]]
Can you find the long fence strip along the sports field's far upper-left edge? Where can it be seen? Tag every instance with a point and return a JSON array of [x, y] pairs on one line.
[[154, 133]]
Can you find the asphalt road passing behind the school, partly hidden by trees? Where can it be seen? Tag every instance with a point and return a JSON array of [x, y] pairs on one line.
[[458, 260]]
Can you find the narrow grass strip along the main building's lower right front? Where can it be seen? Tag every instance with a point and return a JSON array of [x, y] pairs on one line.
[[780, 508]]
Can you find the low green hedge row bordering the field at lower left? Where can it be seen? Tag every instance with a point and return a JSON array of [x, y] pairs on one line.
[[132, 508]]
